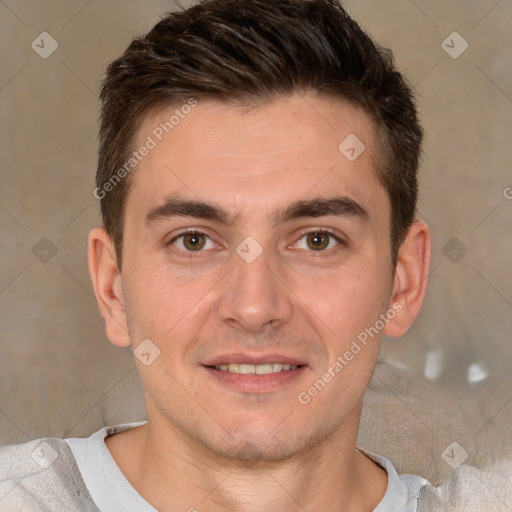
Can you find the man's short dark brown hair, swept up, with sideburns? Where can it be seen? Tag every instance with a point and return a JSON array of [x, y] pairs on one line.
[[254, 50]]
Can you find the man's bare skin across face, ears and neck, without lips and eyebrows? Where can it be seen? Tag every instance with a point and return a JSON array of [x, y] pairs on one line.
[[293, 299]]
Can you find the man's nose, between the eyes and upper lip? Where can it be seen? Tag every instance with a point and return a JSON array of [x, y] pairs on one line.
[[255, 295]]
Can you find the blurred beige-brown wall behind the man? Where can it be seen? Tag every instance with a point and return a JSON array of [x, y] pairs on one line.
[[59, 375]]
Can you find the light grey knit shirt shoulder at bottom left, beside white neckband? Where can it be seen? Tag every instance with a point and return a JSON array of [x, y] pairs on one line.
[[41, 475]]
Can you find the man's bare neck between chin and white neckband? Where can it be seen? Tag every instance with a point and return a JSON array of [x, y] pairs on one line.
[[168, 467]]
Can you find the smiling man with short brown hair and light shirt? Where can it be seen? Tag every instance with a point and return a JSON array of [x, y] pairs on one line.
[[258, 181]]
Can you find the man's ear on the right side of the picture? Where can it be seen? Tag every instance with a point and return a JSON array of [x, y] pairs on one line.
[[410, 281]]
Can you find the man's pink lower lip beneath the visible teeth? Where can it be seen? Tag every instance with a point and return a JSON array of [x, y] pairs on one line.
[[254, 383]]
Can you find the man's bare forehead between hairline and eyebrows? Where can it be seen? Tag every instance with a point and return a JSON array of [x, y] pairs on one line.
[[290, 146]]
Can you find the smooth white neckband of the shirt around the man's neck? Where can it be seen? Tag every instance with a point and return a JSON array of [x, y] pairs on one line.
[[112, 492]]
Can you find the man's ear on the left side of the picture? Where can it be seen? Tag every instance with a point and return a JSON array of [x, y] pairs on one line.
[[106, 280]]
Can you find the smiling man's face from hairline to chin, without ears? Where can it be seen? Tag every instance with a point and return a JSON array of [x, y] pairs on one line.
[[258, 276]]
